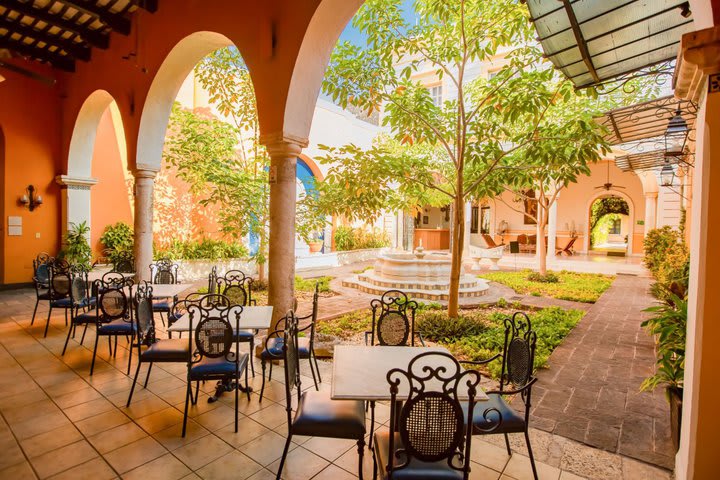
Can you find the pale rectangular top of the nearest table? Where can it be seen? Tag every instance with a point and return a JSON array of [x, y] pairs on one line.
[[360, 372]]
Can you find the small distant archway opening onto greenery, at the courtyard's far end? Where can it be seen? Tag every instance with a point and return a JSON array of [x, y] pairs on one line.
[[610, 225]]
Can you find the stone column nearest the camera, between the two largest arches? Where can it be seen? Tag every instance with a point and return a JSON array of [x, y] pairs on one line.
[[281, 245]]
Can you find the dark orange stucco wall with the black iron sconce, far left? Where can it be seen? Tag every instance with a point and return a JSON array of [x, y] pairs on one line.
[[30, 121]]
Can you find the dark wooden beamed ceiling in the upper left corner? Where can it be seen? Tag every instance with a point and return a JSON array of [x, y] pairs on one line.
[[62, 32]]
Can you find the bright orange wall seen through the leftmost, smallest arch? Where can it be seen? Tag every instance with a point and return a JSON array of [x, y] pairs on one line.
[[109, 199]]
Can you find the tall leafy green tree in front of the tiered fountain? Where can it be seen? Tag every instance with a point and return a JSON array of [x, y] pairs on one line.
[[458, 150]]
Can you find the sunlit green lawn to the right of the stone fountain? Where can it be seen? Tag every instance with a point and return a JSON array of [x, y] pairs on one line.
[[578, 287]]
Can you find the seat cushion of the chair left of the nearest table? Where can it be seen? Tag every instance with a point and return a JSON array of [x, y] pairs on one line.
[[320, 416]]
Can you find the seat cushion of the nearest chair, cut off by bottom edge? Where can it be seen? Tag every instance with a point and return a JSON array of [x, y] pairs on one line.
[[439, 470]]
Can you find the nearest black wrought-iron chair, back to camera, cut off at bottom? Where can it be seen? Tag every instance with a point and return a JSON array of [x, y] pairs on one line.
[[428, 435]]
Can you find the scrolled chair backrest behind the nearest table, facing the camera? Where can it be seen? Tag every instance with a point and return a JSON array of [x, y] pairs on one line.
[[393, 319]]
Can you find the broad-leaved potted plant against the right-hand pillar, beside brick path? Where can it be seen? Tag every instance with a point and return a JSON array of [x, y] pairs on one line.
[[669, 325]]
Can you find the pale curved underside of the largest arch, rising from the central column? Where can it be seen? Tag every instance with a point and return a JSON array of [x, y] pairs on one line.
[[321, 36]]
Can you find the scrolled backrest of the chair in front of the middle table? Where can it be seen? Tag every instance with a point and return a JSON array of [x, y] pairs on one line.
[[213, 326]]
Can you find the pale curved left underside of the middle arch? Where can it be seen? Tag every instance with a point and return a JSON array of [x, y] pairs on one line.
[[164, 89]]
